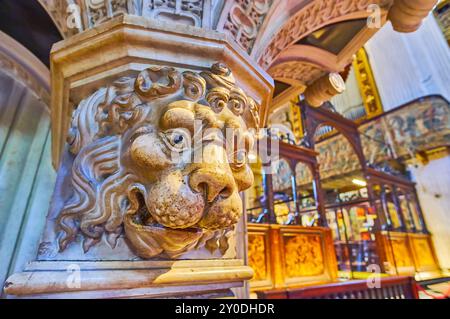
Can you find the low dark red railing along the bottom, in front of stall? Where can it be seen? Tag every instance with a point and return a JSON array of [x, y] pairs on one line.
[[390, 288]]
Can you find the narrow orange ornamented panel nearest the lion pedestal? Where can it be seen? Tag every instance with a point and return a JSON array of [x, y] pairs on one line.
[[257, 256]]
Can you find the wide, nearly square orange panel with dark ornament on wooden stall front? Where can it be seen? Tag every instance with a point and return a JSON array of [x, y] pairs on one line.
[[303, 255]]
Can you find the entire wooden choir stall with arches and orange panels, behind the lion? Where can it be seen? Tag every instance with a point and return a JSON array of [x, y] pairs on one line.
[[303, 232]]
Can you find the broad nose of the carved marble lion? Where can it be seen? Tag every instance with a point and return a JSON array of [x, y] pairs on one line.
[[213, 183]]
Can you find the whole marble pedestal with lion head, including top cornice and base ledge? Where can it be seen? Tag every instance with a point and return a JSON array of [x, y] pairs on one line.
[[132, 102]]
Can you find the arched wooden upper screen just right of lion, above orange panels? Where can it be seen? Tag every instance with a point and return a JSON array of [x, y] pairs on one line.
[[289, 190]]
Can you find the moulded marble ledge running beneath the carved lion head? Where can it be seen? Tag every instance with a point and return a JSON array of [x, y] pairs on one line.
[[128, 279]]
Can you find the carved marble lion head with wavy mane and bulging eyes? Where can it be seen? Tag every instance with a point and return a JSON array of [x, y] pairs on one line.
[[137, 169]]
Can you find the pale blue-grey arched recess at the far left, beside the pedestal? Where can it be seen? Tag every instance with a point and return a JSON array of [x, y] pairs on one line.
[[26, 173]]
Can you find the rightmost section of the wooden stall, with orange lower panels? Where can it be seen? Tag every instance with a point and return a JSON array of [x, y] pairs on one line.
[[403, 243]]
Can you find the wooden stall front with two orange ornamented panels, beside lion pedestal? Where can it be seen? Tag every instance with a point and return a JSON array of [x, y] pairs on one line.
[[289, 256]]
